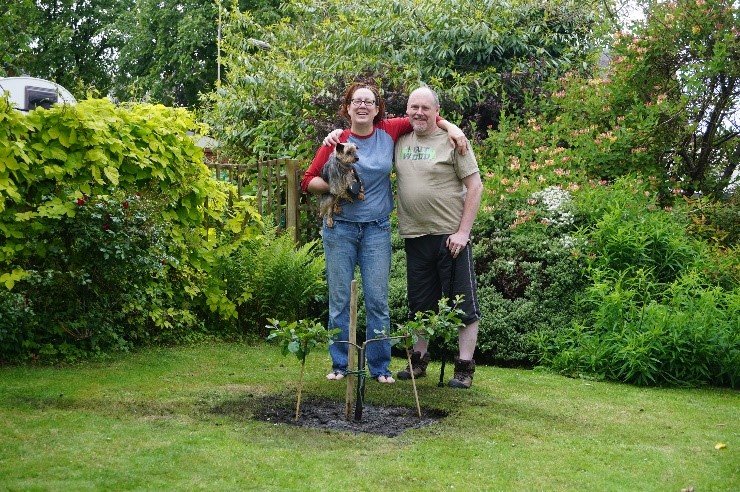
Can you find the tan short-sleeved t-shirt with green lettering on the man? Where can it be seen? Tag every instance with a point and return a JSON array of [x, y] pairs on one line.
[[431, 193]]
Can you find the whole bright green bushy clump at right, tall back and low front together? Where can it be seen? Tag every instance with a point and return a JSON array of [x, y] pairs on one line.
[[657, 311]]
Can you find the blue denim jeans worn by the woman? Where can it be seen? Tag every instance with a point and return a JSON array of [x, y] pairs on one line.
[[367, 245]]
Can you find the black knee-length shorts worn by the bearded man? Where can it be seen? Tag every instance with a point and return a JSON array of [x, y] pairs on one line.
[[431, 273]]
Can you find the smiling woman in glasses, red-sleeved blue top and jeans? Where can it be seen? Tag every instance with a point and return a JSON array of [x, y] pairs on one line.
[[361, 232]]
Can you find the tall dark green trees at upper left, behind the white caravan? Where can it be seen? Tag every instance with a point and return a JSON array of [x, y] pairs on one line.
[[157, 51]]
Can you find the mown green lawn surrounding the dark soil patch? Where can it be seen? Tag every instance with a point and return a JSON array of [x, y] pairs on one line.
[[144, 421]]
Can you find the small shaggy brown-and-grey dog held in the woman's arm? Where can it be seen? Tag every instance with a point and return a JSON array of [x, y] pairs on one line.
[[344, 183]]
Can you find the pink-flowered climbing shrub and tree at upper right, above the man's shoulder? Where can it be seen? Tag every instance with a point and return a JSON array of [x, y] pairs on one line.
[[662, 107]]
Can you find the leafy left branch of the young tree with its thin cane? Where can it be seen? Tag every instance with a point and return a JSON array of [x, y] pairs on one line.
[[299, 338]]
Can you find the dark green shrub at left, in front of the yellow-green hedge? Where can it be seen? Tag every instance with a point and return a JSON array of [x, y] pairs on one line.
[[101, 284]]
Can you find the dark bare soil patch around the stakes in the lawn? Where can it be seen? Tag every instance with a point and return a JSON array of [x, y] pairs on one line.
[[321, 413]]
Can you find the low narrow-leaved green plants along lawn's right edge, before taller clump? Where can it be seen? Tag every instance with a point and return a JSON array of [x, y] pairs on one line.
[[691, 339]]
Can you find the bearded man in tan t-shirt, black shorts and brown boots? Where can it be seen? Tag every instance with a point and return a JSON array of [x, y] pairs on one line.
[[439, 194]]
